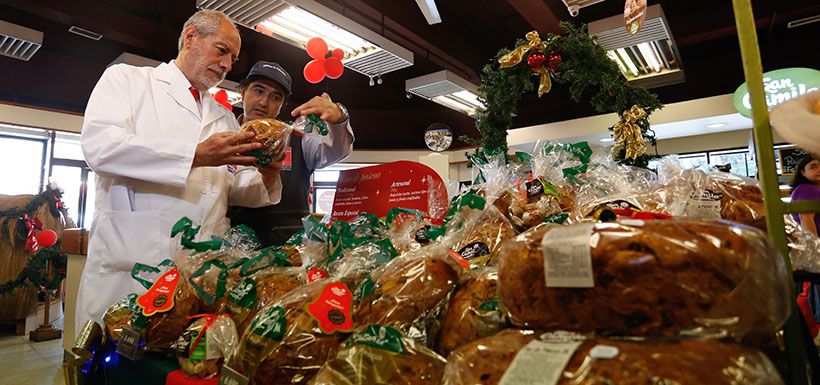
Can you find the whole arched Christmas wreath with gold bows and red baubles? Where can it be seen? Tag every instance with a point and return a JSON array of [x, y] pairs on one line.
[[573, 59]]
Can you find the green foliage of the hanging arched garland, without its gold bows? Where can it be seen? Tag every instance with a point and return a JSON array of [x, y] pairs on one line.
[[584, 67]]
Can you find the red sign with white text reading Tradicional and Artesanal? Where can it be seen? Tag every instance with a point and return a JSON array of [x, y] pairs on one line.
[[377, 189]]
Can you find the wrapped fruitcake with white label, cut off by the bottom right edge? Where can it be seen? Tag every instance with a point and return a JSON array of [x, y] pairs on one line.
[[522, 357]]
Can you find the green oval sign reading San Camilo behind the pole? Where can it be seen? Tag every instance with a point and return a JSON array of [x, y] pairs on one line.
[[779, 86]]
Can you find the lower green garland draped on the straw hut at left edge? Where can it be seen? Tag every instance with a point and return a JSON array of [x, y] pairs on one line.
[[34, 274]]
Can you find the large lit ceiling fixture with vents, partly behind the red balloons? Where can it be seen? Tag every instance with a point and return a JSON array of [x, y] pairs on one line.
[[296, 21]]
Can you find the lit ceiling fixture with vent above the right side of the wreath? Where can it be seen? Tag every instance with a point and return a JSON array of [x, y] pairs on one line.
[[649, 58]]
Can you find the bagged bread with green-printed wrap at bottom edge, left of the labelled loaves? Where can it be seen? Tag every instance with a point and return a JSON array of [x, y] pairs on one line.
[[381, 355]]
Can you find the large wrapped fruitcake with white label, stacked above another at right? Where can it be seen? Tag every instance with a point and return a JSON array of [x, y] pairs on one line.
[[643, 278]]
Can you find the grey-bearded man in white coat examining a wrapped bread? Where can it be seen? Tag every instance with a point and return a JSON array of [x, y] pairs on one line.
[[163, 149]]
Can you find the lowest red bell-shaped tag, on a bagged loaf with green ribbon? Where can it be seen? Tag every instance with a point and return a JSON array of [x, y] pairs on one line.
[[332, 308]]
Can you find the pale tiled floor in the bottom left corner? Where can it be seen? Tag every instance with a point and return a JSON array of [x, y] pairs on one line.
[[26, 362]]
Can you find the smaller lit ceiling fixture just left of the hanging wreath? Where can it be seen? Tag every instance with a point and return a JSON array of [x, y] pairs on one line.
[[449, 90]]
